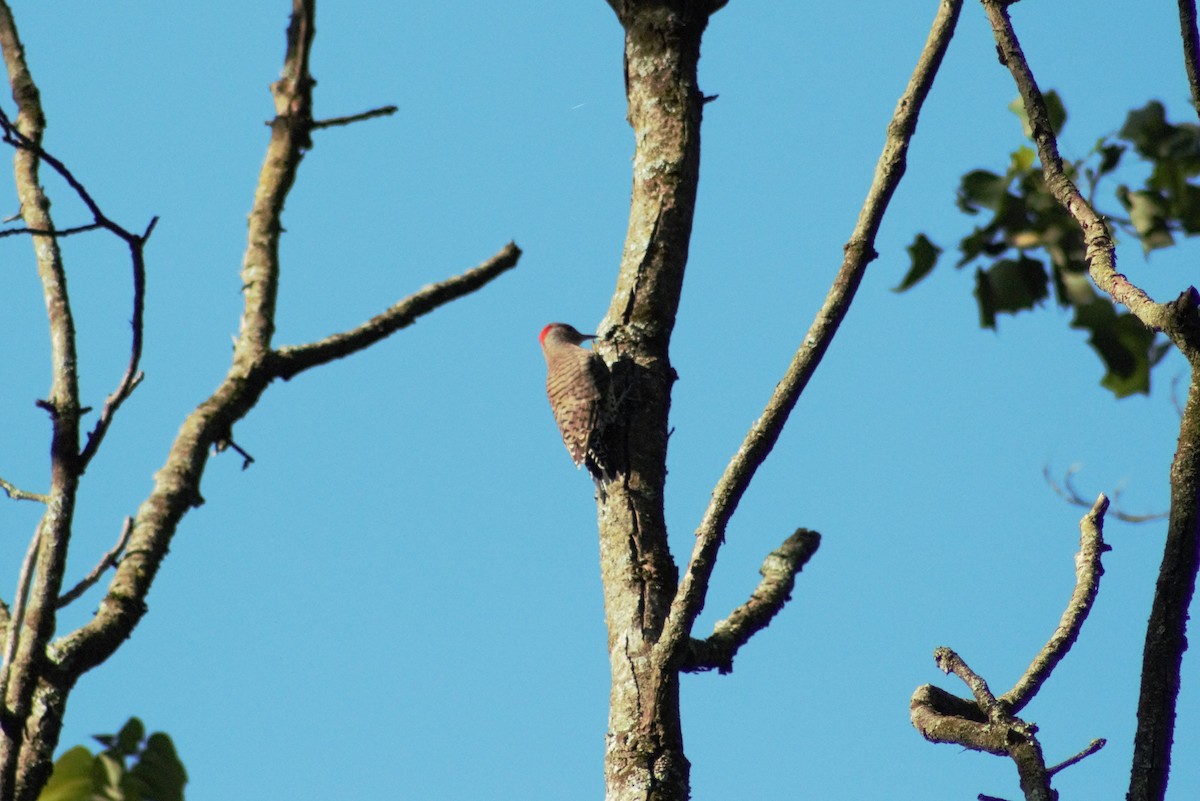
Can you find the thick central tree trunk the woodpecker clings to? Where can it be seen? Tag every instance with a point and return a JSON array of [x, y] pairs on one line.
[[644, 756]]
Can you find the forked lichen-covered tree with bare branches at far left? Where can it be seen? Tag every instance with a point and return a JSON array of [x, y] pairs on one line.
[[40, 673]]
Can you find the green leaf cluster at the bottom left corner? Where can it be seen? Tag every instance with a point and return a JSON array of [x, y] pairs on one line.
[[131, 767]]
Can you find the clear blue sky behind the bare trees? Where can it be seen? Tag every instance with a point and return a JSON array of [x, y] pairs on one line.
[[401, 598]]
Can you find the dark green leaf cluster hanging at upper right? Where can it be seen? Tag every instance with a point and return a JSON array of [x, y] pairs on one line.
[[1029, 248]]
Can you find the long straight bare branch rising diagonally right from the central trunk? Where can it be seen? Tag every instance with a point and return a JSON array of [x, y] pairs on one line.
[[689, 598]]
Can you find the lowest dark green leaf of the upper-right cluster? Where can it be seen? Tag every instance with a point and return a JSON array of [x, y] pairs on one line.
[[1124, 345]]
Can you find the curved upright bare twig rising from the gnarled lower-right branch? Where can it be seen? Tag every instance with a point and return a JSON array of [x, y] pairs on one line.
[[1088, 583]]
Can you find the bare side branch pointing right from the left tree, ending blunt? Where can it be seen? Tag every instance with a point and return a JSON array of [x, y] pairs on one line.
[[287, 363]]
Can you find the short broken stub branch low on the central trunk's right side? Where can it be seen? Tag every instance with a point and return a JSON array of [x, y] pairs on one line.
[[729, 636]]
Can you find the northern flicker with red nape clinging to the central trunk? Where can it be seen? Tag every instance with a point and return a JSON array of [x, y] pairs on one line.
[[579, 386]]
